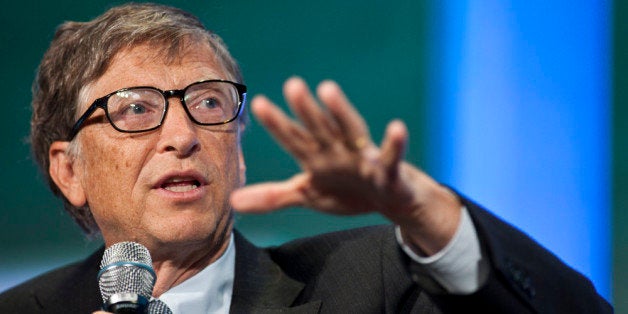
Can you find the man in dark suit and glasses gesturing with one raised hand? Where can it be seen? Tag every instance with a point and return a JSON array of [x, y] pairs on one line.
[[137, 119]]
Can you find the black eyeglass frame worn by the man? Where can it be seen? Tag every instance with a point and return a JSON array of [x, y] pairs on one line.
[[102, 103]]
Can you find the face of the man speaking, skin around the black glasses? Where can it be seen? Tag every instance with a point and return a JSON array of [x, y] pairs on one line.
[[170, 185]]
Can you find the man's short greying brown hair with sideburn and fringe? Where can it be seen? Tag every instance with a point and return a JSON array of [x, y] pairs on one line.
[[81, 52]]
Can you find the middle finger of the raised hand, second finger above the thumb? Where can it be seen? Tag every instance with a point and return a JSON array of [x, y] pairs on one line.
[[307, 109]]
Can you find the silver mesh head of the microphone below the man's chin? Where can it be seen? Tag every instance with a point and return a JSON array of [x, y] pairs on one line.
[[126, 275]]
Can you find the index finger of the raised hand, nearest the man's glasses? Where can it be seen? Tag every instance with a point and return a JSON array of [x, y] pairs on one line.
[[288, 133]]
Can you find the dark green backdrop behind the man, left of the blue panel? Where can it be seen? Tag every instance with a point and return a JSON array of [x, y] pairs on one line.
[[374, 50]]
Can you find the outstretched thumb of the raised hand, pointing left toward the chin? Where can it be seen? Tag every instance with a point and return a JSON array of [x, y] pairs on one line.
[[269, 196]]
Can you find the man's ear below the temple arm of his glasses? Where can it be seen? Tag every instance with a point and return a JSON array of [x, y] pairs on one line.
[[63, 172]]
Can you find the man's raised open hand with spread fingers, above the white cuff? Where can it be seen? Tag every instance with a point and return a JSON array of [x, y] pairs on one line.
[[344, 172]]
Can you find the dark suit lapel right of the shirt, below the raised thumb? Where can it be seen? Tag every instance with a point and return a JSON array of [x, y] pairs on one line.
[[260, 286]]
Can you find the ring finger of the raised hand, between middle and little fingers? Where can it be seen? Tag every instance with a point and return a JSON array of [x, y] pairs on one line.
[[350, 122]]
